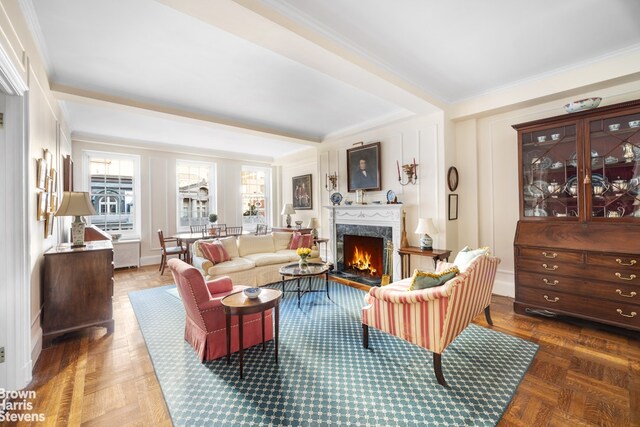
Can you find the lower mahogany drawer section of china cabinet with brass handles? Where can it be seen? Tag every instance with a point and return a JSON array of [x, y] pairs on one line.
[[603, 287]]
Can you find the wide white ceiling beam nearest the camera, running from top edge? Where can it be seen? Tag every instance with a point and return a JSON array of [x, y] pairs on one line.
[[263, 26]]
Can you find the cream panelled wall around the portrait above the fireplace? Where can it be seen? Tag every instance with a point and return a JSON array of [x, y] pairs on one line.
[[421, 138]]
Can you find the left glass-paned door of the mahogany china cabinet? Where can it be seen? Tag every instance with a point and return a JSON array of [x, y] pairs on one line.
[[550, 169]]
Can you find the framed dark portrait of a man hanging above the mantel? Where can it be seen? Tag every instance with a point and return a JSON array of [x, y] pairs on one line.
[[363, 168]]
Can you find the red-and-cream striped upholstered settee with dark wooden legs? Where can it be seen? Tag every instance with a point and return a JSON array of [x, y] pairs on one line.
[[432, 318]]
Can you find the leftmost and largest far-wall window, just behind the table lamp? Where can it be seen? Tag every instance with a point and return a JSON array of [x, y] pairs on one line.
[[114, 186]]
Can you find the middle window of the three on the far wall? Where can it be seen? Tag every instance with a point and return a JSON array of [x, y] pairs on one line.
[[195, 201]]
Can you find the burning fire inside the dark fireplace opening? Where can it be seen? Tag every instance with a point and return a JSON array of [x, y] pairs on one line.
[[363, 255]]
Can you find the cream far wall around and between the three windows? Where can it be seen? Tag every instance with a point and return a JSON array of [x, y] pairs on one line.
[[158, 202]]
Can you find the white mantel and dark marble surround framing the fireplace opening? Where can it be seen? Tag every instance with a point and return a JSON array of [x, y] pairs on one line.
[[377, 221]]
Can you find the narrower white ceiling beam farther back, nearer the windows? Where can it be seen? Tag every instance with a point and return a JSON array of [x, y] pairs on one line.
[[68, 93]]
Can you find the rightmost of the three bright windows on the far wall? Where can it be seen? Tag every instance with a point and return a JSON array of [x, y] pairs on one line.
[[255, 183]]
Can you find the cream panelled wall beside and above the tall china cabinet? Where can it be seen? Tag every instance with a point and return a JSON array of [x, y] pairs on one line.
[[487, 154]]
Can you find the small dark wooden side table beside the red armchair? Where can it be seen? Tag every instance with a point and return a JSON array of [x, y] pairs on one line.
[[239, 304]]
